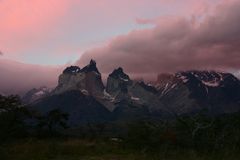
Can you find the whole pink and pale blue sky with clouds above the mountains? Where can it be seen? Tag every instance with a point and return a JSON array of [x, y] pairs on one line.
[[145, 37]]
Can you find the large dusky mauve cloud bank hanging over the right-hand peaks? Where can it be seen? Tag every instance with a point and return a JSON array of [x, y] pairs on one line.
[[176, 44]]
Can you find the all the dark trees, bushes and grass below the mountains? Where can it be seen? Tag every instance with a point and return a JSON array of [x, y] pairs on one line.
[[29, 135]]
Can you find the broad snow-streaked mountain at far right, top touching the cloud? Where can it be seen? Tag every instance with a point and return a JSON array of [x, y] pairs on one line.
[[193, 90]]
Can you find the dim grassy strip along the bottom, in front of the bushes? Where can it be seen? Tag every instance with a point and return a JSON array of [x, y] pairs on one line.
[[77, 149]]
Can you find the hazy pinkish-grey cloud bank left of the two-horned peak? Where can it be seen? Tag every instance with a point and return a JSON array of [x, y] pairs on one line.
[[17, 78]]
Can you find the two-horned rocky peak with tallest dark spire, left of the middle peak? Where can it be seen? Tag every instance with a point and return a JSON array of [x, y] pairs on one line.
[[87, 80]]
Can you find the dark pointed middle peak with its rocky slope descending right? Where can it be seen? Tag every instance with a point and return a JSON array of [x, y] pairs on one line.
[[137, 93]]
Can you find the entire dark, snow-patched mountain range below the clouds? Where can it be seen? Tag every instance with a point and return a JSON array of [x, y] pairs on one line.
[[82, 94]]
